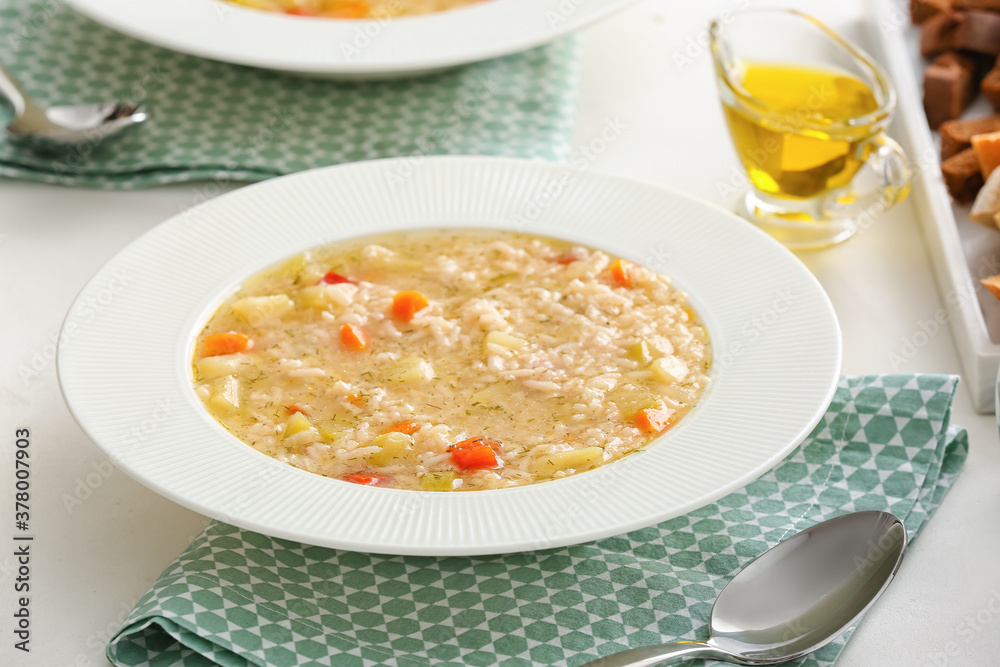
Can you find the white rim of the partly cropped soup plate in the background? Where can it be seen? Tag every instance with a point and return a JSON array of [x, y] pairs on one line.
[[347, 48]]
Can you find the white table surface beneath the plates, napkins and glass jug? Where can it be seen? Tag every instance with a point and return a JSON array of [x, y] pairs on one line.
[[93, 559]]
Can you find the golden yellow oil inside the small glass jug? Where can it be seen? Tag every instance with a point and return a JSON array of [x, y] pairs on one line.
[[792, 136]]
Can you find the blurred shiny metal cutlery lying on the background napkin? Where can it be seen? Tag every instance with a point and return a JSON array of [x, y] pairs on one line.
[[59, 128]]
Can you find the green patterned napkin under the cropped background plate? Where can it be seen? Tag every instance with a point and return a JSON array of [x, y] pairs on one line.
[[227, 123]]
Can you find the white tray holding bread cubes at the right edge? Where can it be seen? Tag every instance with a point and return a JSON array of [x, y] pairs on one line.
[[961, 251]]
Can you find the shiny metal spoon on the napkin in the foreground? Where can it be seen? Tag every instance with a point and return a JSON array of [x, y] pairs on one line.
[[794, 598]]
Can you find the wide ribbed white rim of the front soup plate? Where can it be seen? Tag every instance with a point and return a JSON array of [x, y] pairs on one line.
[[107, 395]]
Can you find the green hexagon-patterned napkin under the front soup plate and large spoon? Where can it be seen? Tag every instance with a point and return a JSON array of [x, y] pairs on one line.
[[238, 598]]
